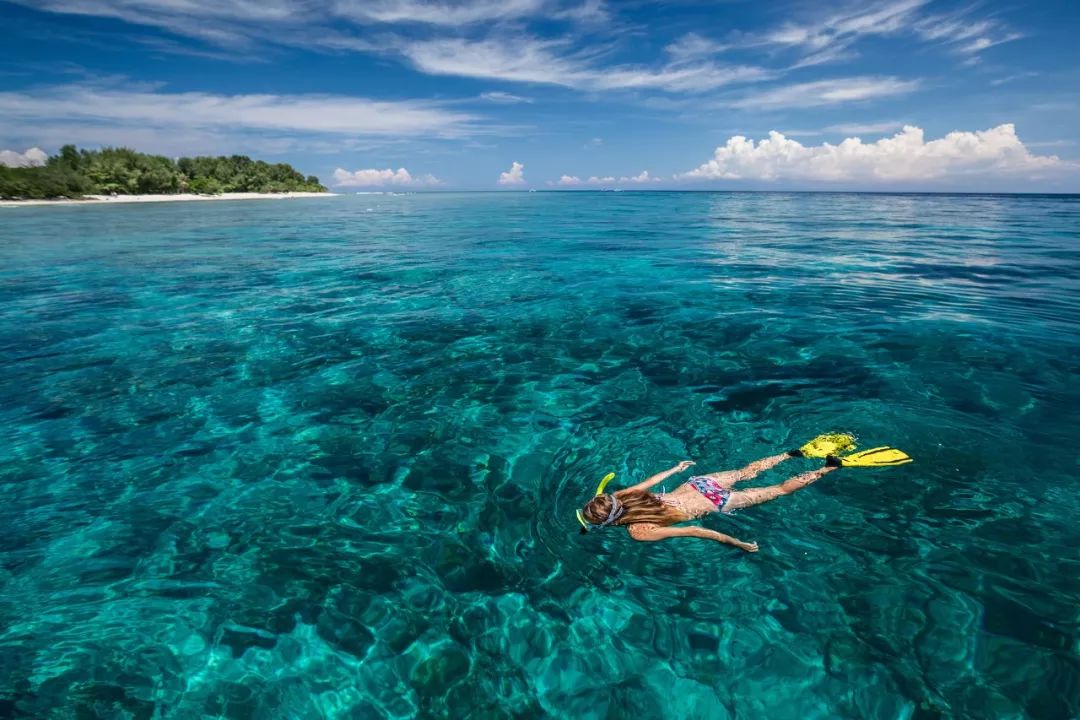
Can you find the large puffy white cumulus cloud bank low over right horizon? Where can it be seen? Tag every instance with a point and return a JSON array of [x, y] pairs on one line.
[[907, 157]]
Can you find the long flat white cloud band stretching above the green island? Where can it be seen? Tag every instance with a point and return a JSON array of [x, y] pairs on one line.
[[271, 114]]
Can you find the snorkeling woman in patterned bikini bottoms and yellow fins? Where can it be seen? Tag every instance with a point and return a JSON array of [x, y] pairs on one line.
[[650, 517]]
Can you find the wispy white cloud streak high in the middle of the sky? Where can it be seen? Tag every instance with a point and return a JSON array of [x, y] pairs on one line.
[[533, 61]]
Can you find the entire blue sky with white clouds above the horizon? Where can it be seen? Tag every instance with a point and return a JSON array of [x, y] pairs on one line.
[[570, 94]]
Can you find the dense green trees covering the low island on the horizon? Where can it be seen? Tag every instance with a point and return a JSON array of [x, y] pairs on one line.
[[74, 173]]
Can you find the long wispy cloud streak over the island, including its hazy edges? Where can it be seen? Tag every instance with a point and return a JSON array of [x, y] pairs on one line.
[[196, 123]]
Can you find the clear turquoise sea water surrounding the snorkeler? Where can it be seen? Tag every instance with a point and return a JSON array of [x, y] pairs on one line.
[[320, 458]]
